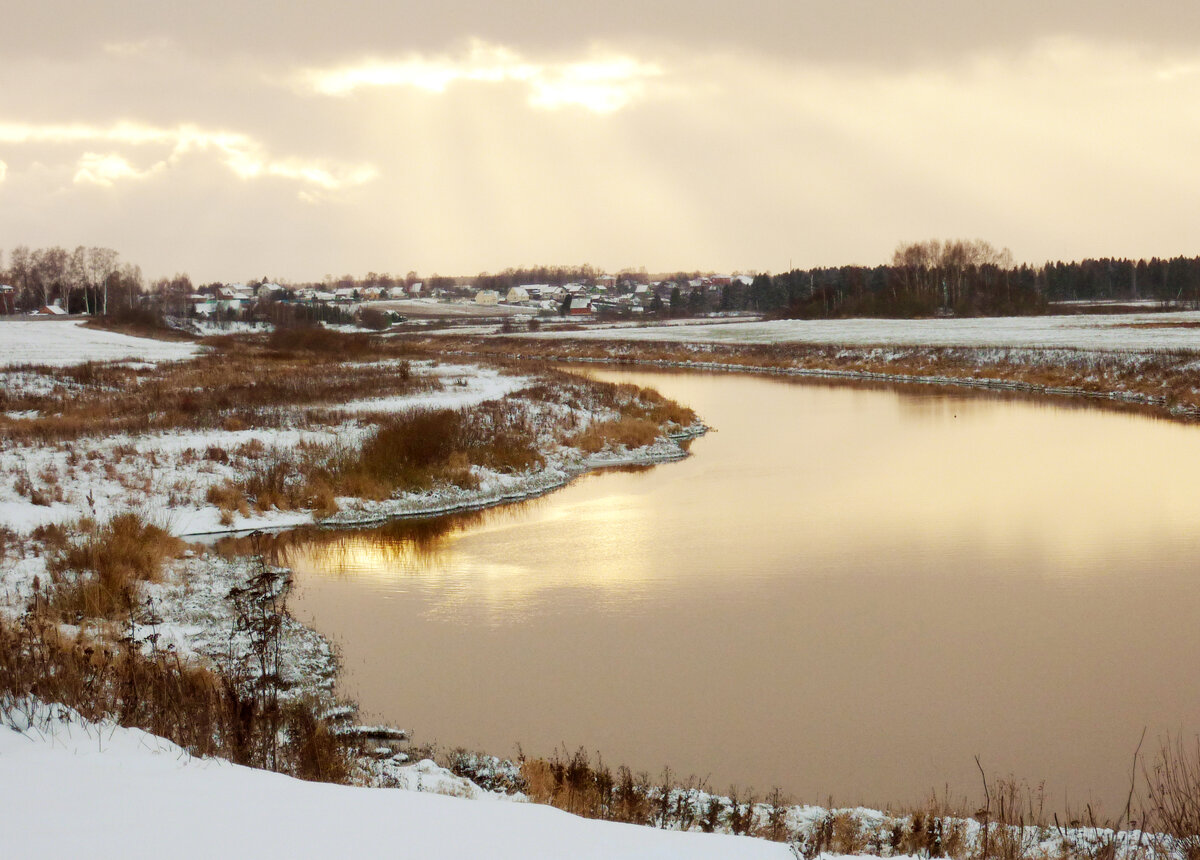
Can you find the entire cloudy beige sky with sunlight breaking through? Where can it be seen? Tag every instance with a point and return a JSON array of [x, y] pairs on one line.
[[233, 140]]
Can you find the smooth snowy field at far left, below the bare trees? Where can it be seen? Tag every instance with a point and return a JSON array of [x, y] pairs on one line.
[[58, 344]]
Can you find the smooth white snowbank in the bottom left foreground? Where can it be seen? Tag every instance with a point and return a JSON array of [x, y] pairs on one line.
[[75, 789]]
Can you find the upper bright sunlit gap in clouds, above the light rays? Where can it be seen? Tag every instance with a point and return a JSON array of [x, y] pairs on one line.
[[602, 85]]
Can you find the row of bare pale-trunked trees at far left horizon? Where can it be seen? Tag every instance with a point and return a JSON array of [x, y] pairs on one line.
[[82, 281]]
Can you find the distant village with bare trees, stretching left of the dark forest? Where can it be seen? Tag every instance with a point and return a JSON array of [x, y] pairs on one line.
[[52, 282]]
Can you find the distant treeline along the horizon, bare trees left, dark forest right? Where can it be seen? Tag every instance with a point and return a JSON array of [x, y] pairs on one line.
[[958, 278]]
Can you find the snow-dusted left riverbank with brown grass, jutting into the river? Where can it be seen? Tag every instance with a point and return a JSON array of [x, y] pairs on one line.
[[110, 462]]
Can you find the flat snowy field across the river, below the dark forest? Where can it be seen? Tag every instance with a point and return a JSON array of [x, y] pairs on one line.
[[1137, 333]]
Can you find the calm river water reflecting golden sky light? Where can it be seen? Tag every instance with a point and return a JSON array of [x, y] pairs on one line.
[[845, 592]]
